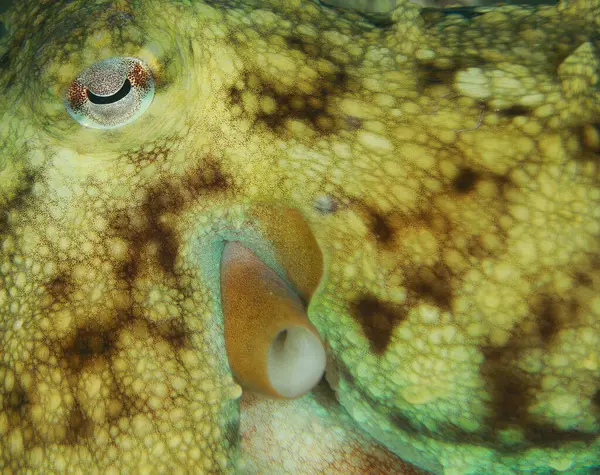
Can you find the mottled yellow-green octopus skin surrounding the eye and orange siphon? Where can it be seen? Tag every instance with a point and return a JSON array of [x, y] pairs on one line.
[[446, 164]]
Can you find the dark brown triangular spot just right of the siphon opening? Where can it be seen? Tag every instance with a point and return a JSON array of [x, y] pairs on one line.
[[377, 320]]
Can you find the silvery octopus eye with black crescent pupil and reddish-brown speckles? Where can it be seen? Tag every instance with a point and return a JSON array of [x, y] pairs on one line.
[[110, 93]]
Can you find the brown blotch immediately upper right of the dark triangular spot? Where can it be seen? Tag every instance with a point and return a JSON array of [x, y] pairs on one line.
[[431, 285]]
